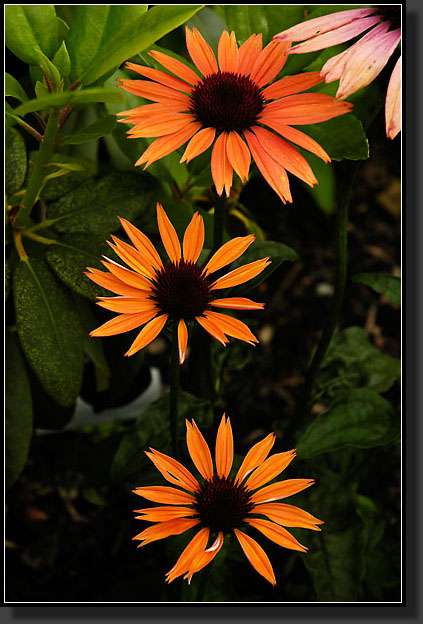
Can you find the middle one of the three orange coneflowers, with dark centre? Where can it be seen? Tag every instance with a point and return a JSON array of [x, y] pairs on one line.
[[150, 292]]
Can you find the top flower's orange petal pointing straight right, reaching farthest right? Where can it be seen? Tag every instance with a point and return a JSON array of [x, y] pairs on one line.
[[305, 108]]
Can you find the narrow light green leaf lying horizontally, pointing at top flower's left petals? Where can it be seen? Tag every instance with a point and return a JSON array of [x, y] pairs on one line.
[[59, 100]]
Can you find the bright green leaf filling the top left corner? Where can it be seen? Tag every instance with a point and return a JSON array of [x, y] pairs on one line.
[[29, 27]]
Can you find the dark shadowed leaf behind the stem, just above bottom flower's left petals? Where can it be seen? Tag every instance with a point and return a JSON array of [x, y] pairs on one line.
[[152, 429]]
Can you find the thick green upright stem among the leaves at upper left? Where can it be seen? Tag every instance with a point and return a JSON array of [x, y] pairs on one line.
[[36, 179]]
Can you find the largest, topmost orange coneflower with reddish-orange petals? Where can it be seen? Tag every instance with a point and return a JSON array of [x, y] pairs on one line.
[[227, 103]]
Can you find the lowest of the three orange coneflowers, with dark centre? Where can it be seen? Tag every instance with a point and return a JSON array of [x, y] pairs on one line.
[[222, 504]]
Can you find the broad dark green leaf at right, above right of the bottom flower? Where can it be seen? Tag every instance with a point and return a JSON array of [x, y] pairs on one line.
[[360, 418]]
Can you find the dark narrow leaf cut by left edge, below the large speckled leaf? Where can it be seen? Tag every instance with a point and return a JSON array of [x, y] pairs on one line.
[[18, 425]]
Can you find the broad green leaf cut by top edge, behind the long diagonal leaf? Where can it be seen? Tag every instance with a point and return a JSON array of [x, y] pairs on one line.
[[94, 26]]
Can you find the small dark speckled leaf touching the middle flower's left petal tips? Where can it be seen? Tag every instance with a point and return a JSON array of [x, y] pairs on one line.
[[71, 256]]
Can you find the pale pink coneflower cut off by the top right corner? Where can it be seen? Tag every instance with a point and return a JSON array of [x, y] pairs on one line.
[[359, 65]]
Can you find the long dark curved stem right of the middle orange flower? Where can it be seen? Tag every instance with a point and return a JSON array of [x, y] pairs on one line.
[[341, 224]]
